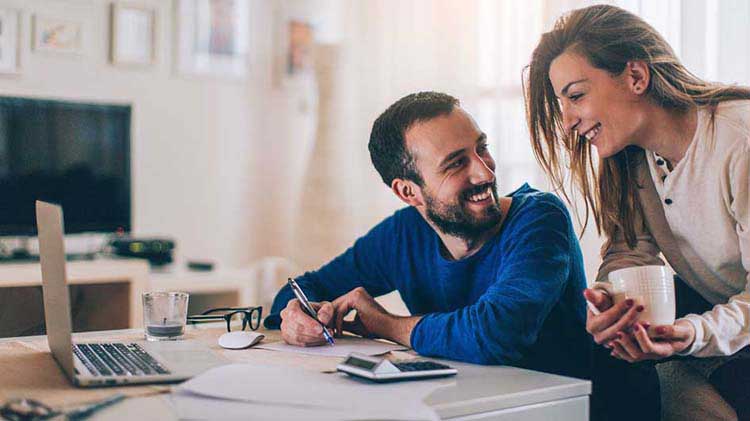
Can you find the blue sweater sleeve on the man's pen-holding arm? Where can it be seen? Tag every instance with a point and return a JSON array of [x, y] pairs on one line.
[[363, 264]]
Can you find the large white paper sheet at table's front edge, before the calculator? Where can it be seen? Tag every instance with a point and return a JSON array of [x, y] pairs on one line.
[[308, 390]]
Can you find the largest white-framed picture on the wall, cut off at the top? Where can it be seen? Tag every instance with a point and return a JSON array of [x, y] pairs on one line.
[[212, 37]]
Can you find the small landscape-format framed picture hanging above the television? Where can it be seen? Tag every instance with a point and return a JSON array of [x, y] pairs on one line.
[[56, 35]]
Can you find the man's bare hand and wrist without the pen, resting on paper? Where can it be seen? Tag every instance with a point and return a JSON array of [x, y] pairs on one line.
[[372, 320]]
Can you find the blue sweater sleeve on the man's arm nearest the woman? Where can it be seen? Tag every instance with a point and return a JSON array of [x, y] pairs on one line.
[[506, 320]]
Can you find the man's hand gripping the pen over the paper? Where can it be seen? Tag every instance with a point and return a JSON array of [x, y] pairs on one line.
[[298, 328]]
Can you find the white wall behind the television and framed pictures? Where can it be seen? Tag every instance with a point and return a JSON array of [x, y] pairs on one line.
[[192, 138]]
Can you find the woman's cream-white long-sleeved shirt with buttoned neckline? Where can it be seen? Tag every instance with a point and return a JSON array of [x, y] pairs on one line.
[[706, 202]]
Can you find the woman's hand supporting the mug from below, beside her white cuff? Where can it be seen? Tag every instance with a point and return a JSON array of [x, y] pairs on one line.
[[667, 341]]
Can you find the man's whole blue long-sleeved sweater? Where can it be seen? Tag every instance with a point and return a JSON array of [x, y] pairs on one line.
[[517, 301]]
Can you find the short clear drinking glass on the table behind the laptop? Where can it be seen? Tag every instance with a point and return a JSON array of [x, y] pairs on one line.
[[164, 315]]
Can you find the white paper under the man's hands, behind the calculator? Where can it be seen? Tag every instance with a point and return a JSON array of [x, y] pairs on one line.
[[344, 346]]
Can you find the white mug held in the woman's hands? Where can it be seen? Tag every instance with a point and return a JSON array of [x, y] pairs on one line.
[[649, 286]]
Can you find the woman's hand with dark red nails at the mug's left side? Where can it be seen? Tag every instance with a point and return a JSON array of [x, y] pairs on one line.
[[612, 319]]
